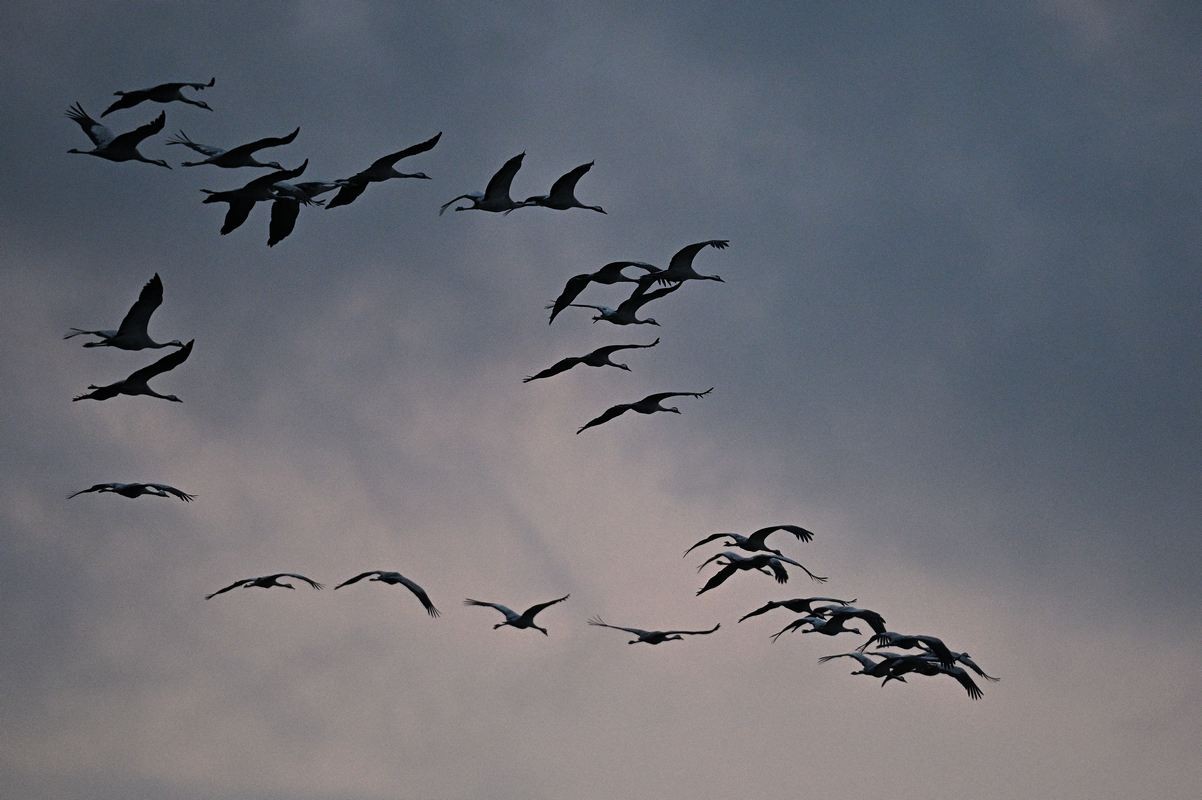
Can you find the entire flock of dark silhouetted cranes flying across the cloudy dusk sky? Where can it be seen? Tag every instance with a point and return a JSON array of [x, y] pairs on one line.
[[878, 658]]
